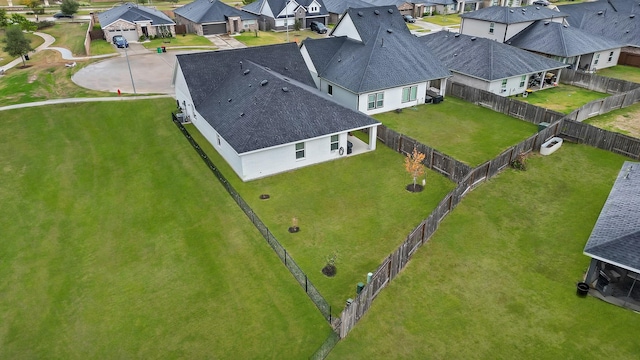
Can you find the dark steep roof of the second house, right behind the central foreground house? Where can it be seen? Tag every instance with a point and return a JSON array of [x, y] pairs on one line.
[[388, 56]]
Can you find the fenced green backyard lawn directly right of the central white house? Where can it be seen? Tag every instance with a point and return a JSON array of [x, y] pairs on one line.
[[468, 132]]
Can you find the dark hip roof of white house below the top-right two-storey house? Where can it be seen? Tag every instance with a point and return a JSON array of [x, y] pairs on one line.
[[560, 40]]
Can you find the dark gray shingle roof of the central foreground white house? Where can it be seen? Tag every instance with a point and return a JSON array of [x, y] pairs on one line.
[[251, 116]]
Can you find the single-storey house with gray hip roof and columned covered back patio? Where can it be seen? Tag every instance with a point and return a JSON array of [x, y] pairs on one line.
[[492, 66]]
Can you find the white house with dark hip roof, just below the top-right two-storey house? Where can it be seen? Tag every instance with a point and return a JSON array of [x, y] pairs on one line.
[[570, 45]]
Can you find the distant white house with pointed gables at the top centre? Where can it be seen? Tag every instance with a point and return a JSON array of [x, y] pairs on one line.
[[283, 14]]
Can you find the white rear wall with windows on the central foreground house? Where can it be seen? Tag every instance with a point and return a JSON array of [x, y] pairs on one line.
[[279, 159]]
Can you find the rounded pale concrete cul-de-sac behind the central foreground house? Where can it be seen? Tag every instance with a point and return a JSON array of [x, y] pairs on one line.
[[151, 72]]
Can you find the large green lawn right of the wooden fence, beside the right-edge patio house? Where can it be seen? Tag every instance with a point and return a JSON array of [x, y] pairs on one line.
[[497, 280]]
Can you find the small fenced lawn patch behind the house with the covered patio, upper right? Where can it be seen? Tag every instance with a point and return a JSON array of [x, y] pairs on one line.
[[562, 98]]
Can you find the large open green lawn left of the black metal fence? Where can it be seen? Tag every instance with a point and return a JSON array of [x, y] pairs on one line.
[[117, 242]]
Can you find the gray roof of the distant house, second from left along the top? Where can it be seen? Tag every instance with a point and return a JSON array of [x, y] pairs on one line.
[[210, 11]]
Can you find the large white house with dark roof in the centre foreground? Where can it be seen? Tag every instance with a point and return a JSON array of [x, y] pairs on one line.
[[259, 108]]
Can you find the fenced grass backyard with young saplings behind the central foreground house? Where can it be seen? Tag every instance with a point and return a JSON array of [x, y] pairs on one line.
[[356, 207]]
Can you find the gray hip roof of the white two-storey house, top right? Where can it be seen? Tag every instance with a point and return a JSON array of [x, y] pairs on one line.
[[511, 15]]
